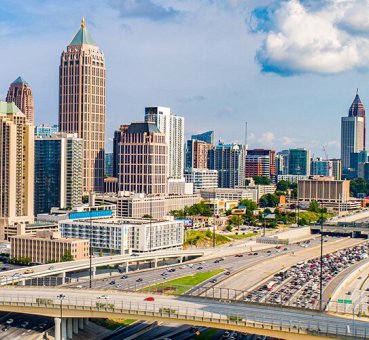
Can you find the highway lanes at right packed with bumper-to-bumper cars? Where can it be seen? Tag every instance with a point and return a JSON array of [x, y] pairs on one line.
[[300, 285]]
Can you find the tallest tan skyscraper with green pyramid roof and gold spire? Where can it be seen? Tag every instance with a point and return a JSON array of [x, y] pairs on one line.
[[82, 103]]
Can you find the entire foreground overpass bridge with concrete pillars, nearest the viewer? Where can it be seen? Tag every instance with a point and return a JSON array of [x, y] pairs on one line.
[[286, 323]]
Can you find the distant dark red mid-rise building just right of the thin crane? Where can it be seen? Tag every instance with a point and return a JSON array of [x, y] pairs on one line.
[[260, 162]]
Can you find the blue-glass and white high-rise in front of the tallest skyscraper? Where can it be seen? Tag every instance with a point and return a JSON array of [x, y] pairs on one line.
[[58, 172]]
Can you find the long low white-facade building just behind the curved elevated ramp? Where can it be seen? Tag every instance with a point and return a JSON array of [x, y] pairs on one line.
[[123, 236]]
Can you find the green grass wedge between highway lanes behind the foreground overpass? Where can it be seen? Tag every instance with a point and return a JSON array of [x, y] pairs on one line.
[[181, 285]]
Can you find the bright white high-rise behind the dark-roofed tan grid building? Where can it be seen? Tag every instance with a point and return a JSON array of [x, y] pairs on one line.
[[173, 128]]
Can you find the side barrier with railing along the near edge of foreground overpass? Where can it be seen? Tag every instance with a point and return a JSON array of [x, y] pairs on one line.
[[189, 315]]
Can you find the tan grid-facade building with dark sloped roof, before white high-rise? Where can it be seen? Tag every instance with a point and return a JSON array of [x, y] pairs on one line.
[[143, 160]]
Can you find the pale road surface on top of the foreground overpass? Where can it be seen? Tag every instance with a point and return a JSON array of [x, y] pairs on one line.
[[200, 309]]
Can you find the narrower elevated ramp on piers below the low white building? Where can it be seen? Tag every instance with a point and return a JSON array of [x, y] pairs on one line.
[[62, 268]]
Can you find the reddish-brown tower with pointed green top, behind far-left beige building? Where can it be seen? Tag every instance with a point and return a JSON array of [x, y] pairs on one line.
[[21, 94]]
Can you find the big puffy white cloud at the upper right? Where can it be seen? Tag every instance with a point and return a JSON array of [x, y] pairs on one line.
[[313, 36]]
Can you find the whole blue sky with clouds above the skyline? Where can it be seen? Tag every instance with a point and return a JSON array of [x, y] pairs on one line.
[[288, 68]]
